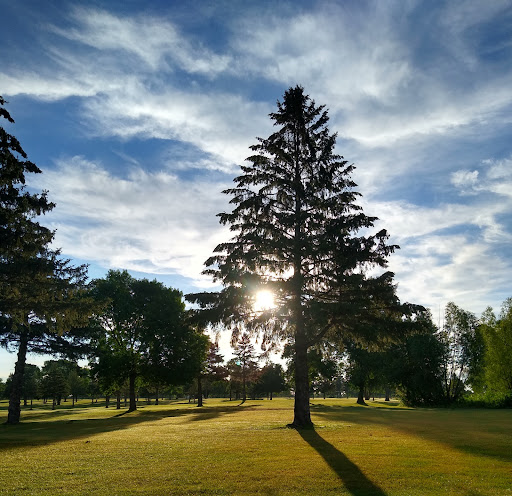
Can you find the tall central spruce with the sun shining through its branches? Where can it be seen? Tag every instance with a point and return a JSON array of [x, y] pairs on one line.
[[297, 232]]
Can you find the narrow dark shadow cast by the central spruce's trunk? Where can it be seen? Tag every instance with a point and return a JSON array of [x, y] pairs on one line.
[[349, 473]]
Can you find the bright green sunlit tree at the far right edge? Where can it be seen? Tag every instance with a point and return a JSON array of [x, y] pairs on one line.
[[497, 334]]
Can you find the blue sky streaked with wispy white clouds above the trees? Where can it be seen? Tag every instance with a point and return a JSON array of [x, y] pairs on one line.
[[139, 114]]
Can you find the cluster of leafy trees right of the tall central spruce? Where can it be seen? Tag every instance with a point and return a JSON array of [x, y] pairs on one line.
[[465, 360]]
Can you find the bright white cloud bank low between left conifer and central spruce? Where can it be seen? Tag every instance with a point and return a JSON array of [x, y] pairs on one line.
[[149, 222]]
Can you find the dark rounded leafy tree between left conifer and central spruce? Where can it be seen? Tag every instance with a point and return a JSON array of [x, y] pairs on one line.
[[146, 333]]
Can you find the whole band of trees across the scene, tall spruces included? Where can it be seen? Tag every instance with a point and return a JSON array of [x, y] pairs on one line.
[[300, 234]]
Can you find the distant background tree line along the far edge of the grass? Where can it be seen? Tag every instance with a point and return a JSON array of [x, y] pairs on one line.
[[464, 362]]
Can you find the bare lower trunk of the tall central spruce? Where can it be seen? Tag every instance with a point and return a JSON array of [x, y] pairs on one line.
[[301, 411]]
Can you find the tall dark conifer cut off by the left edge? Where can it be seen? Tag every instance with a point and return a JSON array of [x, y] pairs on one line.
[[40, 293]]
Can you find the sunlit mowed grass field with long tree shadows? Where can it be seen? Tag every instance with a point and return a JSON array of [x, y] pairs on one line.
[[226, 448]]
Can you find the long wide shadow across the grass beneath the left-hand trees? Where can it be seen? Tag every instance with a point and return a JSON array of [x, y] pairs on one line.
[[37, 433]]
